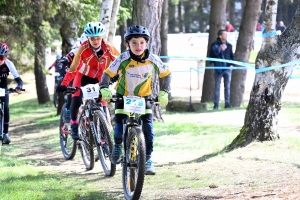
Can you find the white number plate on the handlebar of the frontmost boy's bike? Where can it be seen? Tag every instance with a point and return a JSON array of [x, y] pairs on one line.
[[134, 104]]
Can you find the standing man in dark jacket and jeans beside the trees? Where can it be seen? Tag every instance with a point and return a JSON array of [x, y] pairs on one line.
[[222, 49]]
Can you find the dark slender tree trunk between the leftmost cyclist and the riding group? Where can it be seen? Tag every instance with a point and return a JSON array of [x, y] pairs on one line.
[[39, 53]]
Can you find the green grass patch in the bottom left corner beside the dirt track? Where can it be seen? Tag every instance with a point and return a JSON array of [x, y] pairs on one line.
[[52, 186]]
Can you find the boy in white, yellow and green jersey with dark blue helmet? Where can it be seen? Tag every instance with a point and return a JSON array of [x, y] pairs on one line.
[[136, 67]]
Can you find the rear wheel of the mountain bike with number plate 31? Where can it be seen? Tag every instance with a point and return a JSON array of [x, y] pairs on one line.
[[85, 145]]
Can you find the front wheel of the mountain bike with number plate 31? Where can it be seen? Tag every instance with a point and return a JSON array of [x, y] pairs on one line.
[[104, 143]]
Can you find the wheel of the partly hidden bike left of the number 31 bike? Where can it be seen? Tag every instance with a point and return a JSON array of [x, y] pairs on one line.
[[67, 144]]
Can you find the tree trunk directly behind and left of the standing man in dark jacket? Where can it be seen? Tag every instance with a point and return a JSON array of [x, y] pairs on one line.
[[217, 21]]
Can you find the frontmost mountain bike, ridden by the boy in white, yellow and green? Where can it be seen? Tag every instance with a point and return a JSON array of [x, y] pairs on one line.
[[134, 158]]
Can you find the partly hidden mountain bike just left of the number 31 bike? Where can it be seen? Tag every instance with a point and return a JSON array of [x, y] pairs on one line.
[[67, 144]]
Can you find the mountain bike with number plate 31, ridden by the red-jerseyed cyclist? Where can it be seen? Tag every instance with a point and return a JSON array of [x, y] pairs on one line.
[[94, 131]]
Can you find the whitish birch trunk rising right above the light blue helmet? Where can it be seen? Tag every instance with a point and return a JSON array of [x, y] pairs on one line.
[[105, 15]]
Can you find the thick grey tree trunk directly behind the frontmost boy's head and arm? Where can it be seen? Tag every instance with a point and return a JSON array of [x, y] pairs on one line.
[[148, 13]]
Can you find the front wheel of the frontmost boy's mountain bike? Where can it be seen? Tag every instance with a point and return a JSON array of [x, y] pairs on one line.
[[133, 171]]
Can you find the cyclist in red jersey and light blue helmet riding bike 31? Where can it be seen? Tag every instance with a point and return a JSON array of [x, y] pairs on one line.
[[90, 61]]
